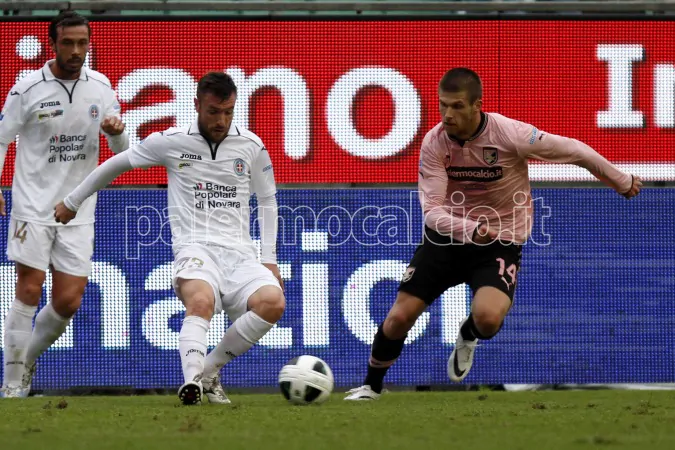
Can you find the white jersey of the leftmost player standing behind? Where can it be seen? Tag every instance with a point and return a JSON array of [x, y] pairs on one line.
[[58, 123]]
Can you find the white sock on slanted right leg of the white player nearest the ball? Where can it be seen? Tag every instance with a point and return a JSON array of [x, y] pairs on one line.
[[241, 336]]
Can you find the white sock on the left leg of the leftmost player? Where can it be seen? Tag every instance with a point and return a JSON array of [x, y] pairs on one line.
[[18, 327]]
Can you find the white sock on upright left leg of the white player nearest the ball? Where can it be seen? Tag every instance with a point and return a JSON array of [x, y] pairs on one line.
[[192, 346]]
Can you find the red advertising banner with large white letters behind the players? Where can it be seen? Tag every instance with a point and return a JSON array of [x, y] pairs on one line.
[[349, 102]]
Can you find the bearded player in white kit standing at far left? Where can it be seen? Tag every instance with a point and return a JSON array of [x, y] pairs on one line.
[[58, 113]]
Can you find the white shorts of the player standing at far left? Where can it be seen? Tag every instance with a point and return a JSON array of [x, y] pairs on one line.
[[68, 249]]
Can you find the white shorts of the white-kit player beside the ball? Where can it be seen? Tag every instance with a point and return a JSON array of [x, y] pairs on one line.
[[233, 276]]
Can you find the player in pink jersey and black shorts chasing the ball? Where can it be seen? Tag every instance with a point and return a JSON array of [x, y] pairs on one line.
[[475, 195]]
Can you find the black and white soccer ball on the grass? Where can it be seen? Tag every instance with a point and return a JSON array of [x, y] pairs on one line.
[[306, 379]]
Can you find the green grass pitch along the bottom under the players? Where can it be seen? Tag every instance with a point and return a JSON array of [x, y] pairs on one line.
[[399, 420]]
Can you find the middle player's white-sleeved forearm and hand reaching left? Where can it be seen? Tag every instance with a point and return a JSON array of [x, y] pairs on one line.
[[102, 176]]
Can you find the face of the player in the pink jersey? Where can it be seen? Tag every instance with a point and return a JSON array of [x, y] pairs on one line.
[[460, 116]]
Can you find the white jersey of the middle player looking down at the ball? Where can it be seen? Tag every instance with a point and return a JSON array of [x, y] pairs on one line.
[[209, 185]]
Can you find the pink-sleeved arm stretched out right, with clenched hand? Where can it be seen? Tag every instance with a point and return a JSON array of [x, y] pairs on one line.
[[533, 143]]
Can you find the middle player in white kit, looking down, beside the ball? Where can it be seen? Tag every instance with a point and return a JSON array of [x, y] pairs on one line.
[[213, 166]]
